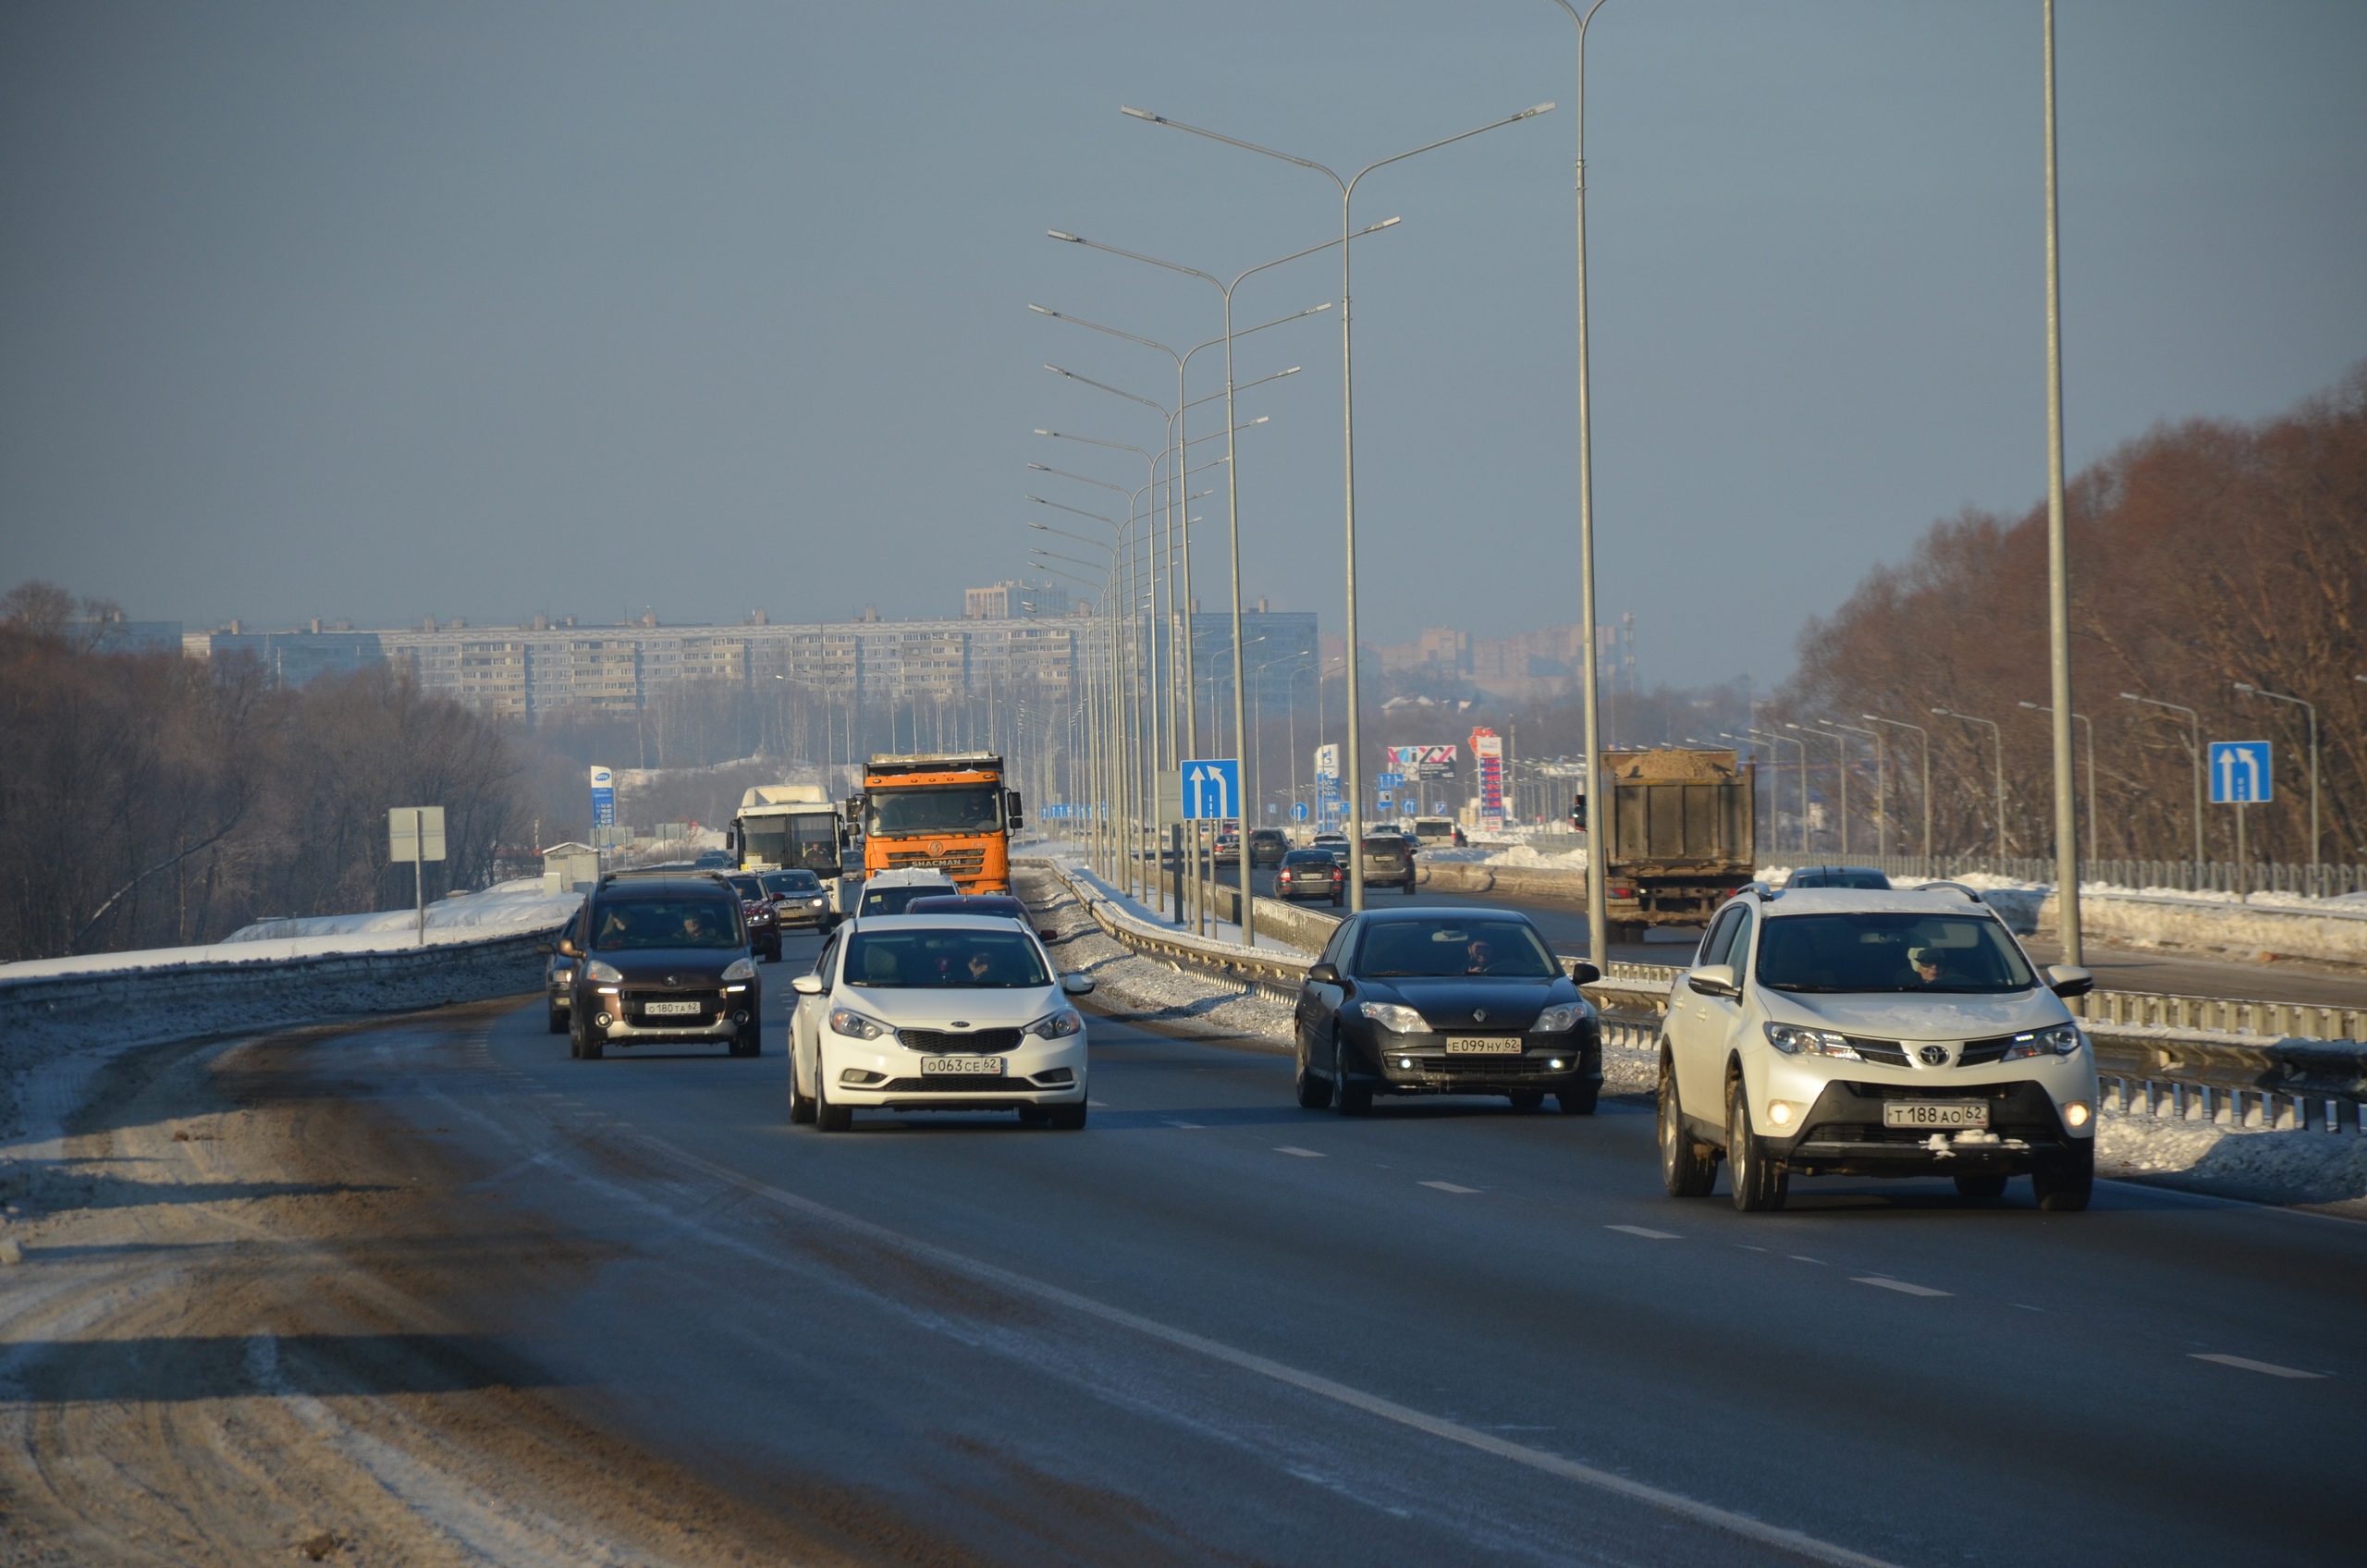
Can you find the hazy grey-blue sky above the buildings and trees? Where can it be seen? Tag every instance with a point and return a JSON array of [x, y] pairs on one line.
[[486, 311]]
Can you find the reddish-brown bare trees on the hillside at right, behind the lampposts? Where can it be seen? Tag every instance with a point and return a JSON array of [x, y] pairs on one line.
[[2202, 555]]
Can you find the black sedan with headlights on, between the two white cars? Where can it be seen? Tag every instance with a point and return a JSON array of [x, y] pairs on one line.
[[1445, 1003]]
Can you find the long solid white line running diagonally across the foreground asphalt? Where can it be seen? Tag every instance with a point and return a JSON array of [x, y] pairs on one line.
[[1282, 1373]]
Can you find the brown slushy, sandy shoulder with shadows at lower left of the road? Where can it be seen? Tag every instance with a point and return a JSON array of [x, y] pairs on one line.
[[264, 1320]]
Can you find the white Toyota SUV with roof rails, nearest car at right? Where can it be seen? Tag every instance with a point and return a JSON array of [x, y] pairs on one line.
[[1850, 1032]]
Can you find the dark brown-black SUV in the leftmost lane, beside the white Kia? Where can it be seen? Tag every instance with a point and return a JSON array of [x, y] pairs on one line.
[[662, 960]]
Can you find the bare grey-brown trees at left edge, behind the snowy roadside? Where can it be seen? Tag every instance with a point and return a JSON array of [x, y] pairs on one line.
[[153, 802]]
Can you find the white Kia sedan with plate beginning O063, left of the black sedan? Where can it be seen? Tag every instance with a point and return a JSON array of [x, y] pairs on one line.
[[936, 1013]]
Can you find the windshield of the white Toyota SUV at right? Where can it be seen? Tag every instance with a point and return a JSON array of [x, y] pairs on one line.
[[1890, 953]]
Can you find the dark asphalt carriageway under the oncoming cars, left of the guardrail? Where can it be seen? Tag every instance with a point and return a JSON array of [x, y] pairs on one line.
[[1223, 1330]]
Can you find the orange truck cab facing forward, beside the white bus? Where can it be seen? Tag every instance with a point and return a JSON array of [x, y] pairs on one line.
[[939, 814]]
